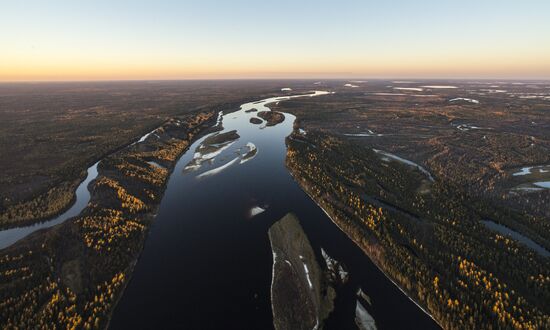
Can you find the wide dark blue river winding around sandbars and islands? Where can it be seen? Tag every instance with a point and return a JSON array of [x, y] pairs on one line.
[[207, 263]]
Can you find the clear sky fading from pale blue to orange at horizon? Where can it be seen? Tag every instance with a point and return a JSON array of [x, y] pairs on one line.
[[206, 39]]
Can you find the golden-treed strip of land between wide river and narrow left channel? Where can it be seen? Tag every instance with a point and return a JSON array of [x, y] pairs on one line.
[[80, 268]]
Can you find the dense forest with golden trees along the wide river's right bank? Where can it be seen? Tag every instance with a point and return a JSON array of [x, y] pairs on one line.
[[427, 235]]
